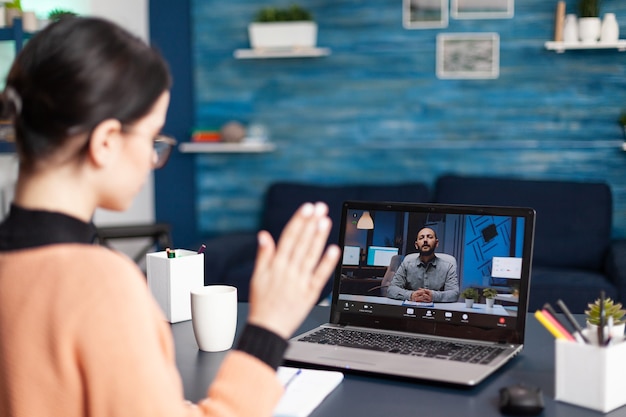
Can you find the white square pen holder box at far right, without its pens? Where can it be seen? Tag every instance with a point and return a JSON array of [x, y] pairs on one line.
[[590, 376]]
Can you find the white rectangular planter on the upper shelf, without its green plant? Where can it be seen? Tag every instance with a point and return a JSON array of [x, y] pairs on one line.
[[282, 35]]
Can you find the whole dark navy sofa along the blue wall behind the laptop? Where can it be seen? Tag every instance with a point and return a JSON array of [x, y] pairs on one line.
[[574, 256]]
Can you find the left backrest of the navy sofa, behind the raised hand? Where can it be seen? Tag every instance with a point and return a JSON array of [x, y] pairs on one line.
[[283, 198]]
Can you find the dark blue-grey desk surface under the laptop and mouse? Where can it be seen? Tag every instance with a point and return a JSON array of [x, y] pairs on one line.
[[372, 396]]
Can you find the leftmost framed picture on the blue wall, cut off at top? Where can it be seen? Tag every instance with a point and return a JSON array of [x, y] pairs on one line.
[[424, 14]]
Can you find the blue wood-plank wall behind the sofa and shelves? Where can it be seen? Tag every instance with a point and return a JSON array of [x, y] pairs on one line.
[[374, 111]]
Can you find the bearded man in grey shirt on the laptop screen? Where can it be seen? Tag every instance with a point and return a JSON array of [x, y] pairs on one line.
[[424, 276]]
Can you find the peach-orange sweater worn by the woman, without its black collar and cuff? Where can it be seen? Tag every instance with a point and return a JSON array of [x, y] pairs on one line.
[[80, 335]]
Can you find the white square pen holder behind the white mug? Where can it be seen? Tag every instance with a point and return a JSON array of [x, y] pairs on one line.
[[171, 280]]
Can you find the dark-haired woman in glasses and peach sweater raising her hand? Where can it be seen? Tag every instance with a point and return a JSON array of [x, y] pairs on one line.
[[80, 334]]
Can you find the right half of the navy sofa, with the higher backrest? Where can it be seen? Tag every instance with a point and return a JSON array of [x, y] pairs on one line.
[[574, 255]]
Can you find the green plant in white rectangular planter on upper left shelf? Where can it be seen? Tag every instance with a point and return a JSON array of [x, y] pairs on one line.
[[283, 28]]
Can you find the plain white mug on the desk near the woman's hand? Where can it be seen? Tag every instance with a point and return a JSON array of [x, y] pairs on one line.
[[214, 317]]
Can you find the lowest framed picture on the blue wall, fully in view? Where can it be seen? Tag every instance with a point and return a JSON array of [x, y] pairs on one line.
[[468, 55]]
